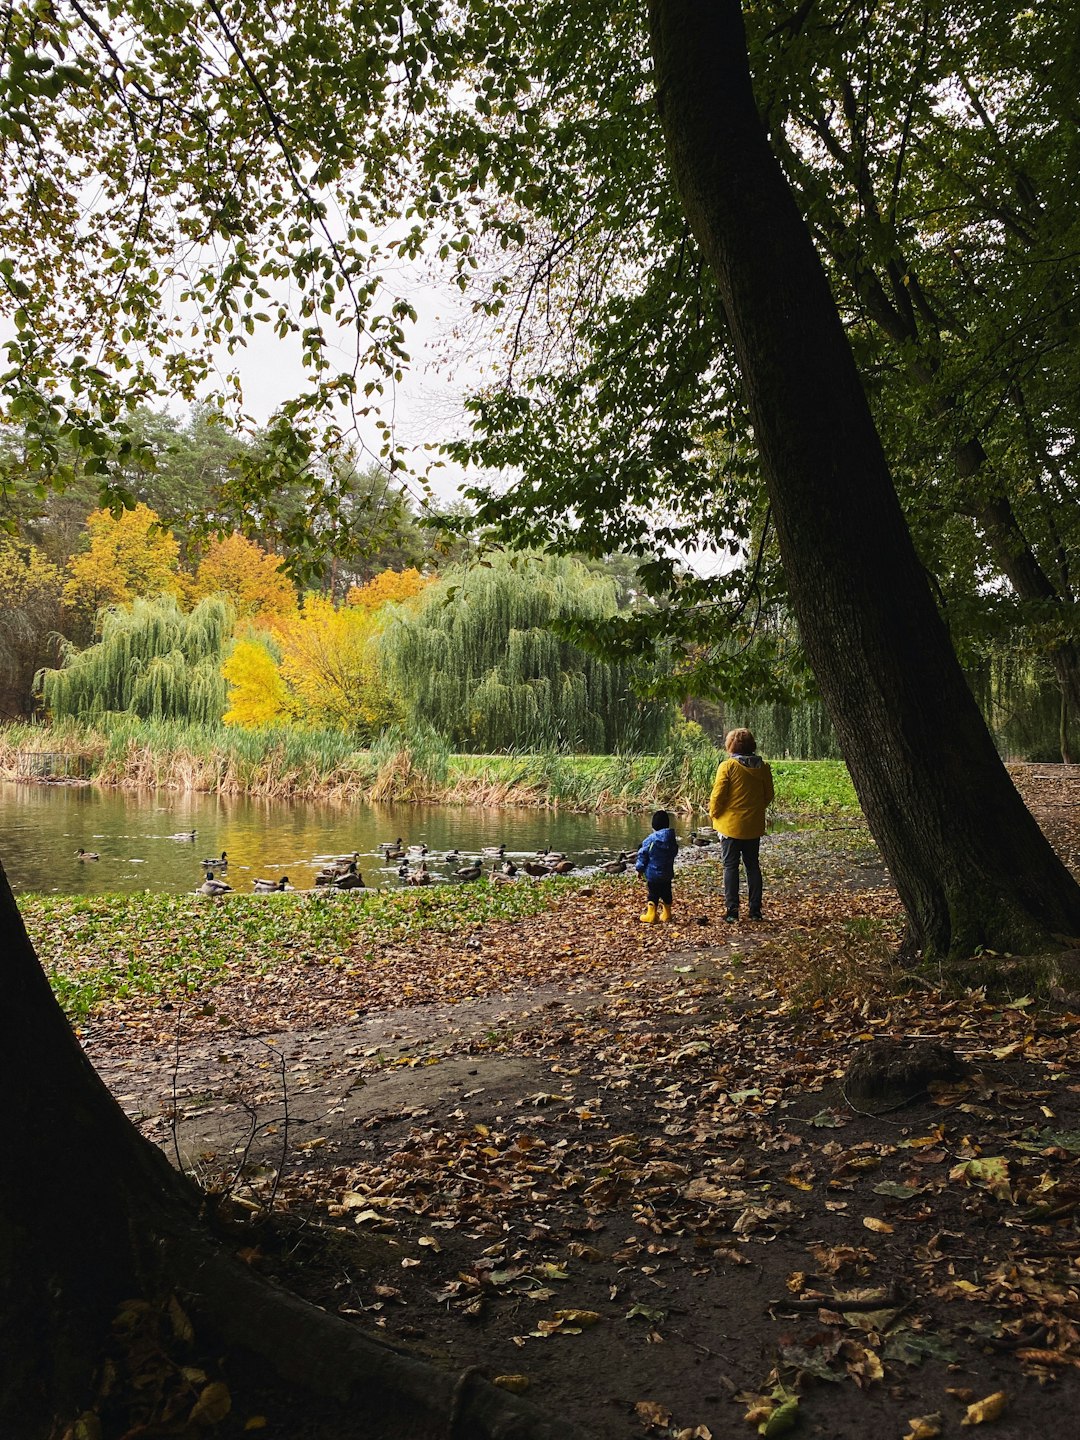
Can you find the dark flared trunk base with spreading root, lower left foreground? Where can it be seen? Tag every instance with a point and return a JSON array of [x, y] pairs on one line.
[[93, 1215]]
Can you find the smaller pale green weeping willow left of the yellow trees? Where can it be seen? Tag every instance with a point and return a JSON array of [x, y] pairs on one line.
[[153, 662]]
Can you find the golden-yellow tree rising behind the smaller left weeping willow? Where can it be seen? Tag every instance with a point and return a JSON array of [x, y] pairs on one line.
[[129, 558]]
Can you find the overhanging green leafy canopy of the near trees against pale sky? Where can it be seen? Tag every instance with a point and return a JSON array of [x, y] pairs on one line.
[[253, 153]]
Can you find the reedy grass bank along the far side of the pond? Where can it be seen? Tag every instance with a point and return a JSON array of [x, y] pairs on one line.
[[292, 764]]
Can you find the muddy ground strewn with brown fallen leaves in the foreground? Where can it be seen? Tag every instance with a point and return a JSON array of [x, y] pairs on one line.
[[617, 1169]]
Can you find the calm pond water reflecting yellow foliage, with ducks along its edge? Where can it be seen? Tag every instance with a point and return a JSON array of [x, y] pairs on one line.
[[139, 837]]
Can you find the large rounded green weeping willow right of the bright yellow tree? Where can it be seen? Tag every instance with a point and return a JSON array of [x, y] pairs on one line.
[[485, 659]]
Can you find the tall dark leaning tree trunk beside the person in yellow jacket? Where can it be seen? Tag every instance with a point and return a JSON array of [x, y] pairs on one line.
[[970, 863]]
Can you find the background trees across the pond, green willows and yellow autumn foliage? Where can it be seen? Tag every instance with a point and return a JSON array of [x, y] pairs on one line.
[[163, 613]]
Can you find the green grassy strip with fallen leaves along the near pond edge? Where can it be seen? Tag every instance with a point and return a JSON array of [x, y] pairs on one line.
[[104, 950]]
